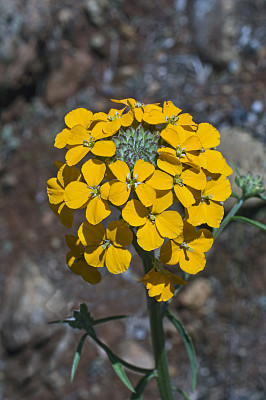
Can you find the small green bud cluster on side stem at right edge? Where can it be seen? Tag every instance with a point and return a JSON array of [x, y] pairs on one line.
[[250, 185]]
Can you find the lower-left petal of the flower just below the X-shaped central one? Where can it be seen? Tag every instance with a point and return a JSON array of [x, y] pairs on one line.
[[148, 237]]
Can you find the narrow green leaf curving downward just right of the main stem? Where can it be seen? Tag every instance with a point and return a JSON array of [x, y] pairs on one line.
[[188, 344]]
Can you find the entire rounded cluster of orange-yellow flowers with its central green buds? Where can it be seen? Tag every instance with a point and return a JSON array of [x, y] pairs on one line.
[[160, 169]]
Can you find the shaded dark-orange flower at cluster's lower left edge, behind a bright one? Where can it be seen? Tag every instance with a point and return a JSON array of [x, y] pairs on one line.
[[77, 264]]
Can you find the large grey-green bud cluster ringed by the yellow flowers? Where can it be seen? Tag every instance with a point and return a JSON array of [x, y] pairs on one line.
[[136, 143]]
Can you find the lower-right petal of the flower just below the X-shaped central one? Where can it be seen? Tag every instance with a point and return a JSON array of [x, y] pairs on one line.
[[169, 224]]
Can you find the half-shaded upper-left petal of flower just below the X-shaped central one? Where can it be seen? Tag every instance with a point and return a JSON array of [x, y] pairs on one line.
[[135, 213]]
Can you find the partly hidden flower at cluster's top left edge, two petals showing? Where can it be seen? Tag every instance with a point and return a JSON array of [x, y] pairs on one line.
[[80, 116]]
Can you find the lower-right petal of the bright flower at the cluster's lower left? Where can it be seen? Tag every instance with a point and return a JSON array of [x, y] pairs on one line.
[[117, 259]]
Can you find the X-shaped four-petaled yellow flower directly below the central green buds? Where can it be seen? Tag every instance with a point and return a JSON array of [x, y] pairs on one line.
[[120, 190]]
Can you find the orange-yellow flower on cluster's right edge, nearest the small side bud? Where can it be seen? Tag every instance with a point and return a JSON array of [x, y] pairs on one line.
[[208, 207]]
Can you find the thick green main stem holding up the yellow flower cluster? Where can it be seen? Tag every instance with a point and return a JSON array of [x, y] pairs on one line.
[[157, 332]]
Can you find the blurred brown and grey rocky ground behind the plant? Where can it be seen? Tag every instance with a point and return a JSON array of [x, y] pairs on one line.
[[209, 58]]
